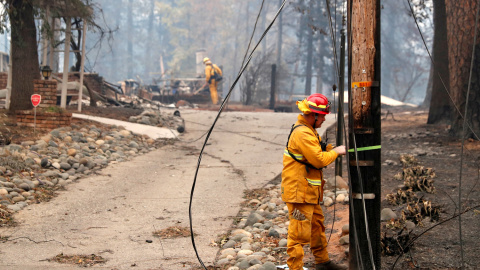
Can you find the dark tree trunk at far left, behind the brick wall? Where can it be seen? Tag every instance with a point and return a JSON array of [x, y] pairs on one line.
[[24, 49]]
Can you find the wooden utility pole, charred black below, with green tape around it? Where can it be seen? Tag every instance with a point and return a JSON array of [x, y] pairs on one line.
[[364, 132]]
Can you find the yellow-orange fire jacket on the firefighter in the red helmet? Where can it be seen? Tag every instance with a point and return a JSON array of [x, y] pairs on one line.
[[300, 183]]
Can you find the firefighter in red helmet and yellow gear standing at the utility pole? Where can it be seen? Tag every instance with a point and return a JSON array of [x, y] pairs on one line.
[[302, 184]]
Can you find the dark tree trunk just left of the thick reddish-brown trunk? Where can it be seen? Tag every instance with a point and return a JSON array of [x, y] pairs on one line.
[[441, 107]]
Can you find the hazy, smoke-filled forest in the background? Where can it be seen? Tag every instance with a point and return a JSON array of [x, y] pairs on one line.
[[146, 34]]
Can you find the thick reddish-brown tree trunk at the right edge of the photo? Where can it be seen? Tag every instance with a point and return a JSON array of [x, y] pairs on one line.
[[460, 44]]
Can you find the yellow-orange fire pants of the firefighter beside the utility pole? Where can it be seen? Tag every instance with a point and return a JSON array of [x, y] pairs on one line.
[[309, 231]]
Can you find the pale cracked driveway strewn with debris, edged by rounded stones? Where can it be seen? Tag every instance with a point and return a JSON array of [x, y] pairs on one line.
[[114, 214]]
